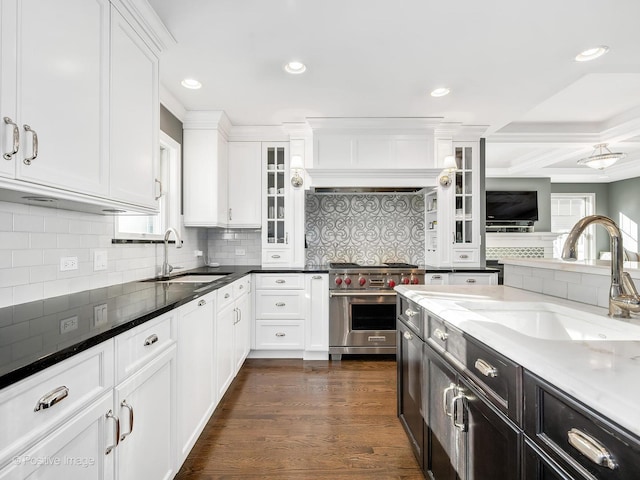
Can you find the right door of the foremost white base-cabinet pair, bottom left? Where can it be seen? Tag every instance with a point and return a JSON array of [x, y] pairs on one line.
[[145, 407]]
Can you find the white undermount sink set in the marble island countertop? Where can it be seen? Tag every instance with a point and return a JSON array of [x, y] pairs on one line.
[[550, 321]]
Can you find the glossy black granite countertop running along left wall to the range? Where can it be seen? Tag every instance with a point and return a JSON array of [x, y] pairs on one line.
[[30, 336]]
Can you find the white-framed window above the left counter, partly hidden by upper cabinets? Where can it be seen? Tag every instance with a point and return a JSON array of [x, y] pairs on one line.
[[152, 227]]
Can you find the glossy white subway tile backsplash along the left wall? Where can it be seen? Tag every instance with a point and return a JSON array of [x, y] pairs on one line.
[[33, 239]]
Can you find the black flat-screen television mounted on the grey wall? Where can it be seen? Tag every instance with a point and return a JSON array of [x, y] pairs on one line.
[[505, 207]]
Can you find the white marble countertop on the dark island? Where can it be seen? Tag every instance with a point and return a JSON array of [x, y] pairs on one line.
[[603, 374]]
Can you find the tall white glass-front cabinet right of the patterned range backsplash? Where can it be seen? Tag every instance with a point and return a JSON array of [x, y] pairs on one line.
[[452, 213]]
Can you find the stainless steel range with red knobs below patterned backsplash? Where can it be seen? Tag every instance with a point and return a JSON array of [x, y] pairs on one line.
[[362, 306]]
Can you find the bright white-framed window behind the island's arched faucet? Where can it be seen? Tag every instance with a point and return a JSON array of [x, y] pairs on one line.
[[566, 210]]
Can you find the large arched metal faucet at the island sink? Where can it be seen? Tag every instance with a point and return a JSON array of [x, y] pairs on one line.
[[623, 296]]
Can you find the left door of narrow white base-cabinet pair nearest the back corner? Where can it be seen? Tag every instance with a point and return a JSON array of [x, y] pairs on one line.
[[224, 350]]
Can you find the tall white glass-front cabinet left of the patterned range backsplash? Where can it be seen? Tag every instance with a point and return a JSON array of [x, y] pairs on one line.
[[276, 208]]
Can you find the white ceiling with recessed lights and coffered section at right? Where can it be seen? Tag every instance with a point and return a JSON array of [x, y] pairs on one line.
[[510, 66]]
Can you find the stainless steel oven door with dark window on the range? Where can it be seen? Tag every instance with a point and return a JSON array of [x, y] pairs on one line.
[[362, 322]]
